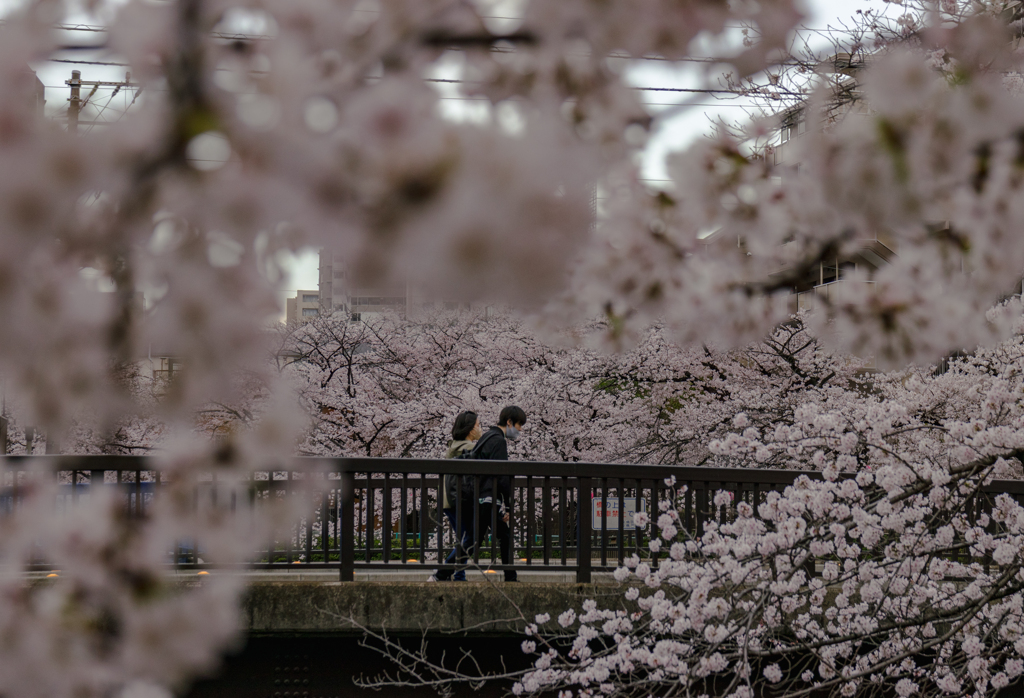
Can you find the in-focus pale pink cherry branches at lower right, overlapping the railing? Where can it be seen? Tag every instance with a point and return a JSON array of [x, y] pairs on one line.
[[894, 574]]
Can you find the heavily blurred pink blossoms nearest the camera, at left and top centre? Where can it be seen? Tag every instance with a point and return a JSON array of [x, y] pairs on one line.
[[321, 133]]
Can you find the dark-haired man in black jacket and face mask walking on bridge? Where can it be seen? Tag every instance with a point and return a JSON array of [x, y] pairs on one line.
[[496, 496]]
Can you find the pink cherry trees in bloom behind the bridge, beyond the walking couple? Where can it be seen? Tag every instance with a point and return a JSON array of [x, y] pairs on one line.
[[391, 387]]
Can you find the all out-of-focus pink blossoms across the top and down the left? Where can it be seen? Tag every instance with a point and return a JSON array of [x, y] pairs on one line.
[[323, 133]]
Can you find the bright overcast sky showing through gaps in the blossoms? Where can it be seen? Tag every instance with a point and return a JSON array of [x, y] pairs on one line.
[[671, 134]]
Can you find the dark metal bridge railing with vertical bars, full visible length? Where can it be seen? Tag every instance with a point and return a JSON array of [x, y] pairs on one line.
[[387, 514]]
